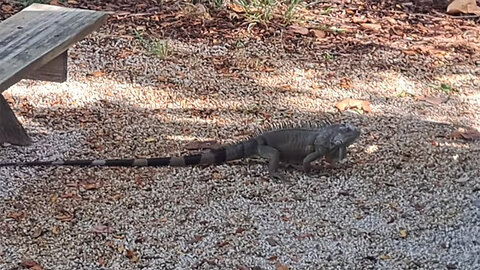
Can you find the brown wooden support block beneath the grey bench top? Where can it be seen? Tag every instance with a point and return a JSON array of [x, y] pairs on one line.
[[53, 71]]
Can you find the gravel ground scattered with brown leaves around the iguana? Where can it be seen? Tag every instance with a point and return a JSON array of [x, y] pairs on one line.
[[407, 197]]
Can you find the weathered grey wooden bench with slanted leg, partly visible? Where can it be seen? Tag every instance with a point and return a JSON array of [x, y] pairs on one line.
[[33, 45]]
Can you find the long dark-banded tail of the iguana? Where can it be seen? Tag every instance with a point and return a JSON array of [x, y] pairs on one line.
[[217, 156]]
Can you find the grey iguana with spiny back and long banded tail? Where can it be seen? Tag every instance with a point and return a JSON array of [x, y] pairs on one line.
[[294, 145]]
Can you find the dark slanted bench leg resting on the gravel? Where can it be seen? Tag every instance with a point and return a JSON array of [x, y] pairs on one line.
[[11, 131]]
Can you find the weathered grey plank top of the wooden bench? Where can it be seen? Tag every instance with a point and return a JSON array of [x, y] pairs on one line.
[[38, 34]]
